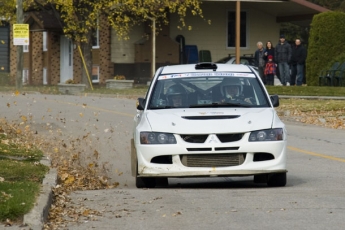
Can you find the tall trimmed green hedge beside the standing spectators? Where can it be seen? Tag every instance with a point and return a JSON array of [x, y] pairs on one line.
[[326, 43]]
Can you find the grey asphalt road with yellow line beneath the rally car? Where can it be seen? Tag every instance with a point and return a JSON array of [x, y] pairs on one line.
[[314, 197]]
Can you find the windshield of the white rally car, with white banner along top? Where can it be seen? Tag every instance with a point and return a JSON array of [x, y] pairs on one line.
[[216, 90]]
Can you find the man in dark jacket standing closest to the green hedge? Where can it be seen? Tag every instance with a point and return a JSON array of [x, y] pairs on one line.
[[298, 57]]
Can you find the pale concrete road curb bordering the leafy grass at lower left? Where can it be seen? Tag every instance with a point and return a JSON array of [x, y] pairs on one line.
[[36, 218]]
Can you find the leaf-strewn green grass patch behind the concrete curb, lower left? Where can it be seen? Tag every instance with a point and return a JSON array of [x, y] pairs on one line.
[[21, 174]]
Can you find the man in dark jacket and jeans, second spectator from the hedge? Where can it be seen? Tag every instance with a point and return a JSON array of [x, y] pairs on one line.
[[283, 57]]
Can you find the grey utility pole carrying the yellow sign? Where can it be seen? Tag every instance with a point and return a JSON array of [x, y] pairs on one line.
[[20, 19]]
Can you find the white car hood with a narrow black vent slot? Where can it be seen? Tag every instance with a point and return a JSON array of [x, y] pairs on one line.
[[210, 120]]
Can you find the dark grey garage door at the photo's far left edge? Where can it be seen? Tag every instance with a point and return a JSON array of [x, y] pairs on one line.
[[4, 49]]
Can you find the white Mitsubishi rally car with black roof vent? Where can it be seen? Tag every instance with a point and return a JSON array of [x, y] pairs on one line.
[[208, 119]]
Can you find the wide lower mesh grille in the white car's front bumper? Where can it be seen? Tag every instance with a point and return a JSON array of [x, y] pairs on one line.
[[213, 160]]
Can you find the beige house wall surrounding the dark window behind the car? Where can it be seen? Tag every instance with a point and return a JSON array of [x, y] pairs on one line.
[[213, 37]]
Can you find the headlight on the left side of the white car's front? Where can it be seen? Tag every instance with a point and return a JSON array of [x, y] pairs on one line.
[[157, 138]]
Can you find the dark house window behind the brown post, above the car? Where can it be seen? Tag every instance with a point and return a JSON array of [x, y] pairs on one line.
[[232, 29]]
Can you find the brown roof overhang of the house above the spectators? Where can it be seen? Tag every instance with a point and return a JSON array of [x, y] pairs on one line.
[[299, 12]]
